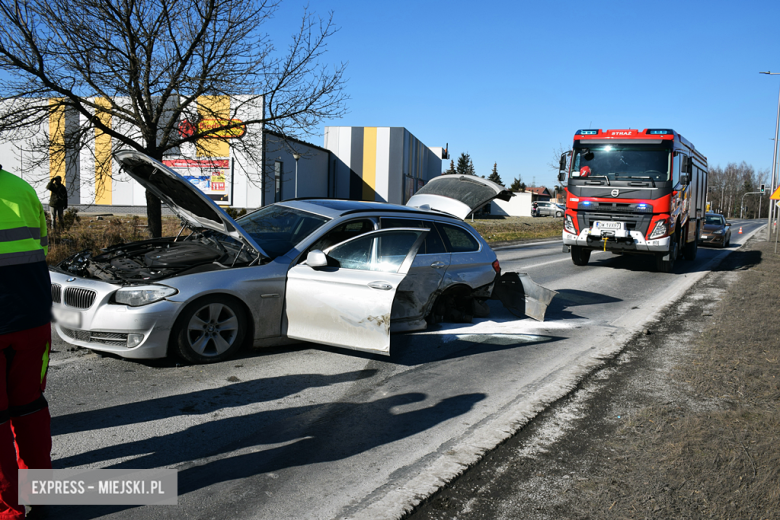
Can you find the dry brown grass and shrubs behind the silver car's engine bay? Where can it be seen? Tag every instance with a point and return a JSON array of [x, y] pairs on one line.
[[85, 232]]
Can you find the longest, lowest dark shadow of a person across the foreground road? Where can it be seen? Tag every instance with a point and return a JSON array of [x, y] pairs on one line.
[[310, 435]]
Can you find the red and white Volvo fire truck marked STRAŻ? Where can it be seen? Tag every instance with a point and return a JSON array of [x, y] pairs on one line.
[[633, 192]]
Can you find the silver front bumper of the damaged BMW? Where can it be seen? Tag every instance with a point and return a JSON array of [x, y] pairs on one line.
[[104, 326]]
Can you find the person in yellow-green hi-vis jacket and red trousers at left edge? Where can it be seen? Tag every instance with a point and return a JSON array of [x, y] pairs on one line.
[[25, 336]]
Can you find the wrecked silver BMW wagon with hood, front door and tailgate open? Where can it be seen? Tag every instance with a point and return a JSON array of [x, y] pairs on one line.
[[336, 272]]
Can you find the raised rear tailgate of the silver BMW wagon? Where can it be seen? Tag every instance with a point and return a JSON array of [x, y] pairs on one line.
[[458, 195]]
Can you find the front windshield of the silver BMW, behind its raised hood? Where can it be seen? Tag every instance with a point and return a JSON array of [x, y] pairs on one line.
[[277, 229]]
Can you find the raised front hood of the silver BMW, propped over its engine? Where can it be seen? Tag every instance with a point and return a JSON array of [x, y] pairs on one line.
[[185, 200]]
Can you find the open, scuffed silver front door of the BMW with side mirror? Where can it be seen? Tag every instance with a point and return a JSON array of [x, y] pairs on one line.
[[343, 297]]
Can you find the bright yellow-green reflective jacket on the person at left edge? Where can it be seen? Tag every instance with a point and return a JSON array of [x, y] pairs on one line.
[[23, 235]]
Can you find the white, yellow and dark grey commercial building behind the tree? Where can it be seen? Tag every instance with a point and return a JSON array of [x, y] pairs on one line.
[[361, 163]]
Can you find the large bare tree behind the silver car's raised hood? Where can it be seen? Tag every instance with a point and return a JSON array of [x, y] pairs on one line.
[[145, 64]]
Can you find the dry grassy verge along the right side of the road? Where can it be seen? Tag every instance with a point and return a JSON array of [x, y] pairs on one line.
[[719, 458]]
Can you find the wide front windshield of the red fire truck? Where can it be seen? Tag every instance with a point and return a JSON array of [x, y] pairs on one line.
[[621, 162]]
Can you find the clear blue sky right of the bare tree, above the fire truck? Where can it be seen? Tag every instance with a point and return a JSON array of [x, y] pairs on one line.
[[509, 82]]
